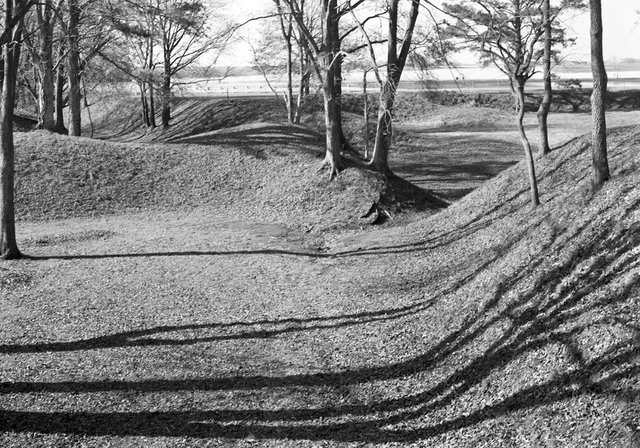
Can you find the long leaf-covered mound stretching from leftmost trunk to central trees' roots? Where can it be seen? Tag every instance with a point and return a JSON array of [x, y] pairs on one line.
[[261, 171]]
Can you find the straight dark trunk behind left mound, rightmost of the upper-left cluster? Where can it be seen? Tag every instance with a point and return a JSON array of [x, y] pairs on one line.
[[73, 67]]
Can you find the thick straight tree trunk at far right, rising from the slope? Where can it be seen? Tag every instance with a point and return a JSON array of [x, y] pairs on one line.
[[599, 130]]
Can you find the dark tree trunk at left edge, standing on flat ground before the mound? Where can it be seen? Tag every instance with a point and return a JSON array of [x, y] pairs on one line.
[[11, 52]]
